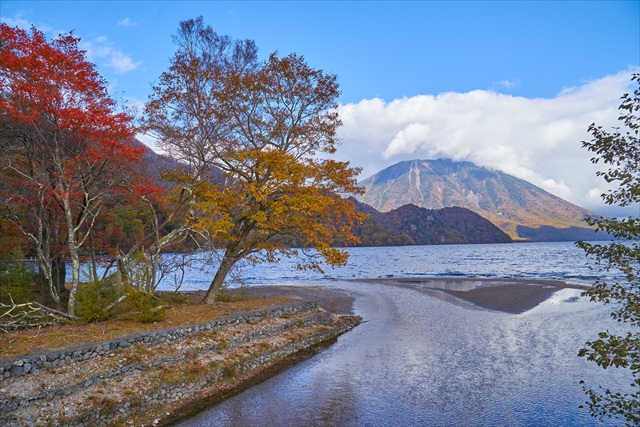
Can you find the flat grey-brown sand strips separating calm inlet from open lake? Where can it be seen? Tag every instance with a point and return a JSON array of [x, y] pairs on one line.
[[506, 295]]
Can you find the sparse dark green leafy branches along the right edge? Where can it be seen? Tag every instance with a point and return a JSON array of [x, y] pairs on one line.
[[619, 149]]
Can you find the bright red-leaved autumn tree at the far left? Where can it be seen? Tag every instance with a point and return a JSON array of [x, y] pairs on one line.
[[66, 146]]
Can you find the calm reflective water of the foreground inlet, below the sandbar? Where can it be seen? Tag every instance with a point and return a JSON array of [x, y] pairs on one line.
[[423, 361]]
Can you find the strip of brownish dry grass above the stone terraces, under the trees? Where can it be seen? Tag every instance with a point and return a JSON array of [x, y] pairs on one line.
[[181, 313]]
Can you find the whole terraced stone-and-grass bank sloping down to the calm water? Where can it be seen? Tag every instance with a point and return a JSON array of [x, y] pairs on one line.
[[159, 376]]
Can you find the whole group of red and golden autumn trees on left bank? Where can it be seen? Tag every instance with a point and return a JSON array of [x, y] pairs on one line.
[[252, 140]]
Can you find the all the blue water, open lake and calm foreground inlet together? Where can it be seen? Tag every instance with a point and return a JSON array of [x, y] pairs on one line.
[[419, 360]]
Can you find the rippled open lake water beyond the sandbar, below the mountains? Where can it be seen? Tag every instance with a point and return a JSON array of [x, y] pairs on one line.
[[556, 261]]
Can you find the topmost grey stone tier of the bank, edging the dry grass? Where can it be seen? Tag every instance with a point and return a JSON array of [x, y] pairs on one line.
[[23, 365]]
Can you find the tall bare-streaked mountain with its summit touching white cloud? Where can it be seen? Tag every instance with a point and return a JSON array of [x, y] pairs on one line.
[[517, 207]]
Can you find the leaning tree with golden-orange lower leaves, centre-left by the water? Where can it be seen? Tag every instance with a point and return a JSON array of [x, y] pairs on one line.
[[265, 126]]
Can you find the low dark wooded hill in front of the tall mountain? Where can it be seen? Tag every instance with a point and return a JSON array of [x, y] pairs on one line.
[[413, 225]]
